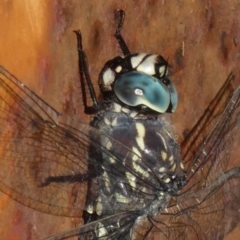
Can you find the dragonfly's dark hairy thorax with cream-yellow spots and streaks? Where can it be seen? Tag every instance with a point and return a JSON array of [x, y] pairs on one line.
[[150, 169]]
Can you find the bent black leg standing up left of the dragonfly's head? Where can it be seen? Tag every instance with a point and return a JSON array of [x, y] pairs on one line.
[[83, 71]]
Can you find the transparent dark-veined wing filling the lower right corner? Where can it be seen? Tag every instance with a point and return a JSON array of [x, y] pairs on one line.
[[207, 207]]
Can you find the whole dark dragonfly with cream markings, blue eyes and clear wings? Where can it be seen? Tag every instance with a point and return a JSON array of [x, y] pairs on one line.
[[126, 166]]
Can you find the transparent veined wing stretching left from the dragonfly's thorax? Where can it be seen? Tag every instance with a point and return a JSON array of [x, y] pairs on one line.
[[45, 155]]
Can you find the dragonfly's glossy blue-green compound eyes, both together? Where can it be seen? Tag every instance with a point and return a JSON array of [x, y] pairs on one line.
[[137, 88]]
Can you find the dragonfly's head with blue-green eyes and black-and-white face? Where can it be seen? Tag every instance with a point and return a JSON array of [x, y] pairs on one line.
[[139, 81]]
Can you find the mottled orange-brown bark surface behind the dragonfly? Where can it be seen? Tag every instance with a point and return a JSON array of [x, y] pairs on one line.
[[200, 39]]
